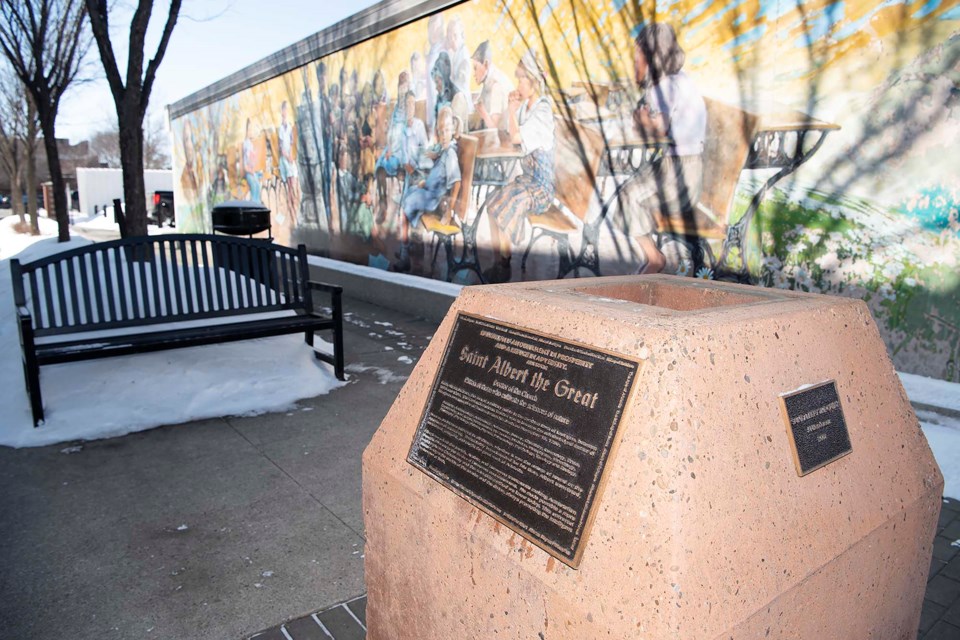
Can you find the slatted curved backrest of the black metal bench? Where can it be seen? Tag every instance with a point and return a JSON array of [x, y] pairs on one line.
[[155, 279]]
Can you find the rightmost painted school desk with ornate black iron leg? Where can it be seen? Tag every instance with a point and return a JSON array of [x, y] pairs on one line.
[[783, 139]]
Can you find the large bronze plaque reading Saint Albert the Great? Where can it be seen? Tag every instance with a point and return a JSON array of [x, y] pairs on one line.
[[521, 425]]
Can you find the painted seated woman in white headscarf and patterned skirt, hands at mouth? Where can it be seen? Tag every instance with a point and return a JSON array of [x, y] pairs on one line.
[[530, 125]]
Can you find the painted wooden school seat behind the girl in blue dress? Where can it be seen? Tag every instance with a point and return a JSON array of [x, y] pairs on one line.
[[460, 224]]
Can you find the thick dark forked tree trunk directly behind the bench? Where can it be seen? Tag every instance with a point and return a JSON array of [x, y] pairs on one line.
[[132, 95]]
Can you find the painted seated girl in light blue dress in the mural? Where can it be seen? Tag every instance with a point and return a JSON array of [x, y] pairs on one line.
[[442, 181]]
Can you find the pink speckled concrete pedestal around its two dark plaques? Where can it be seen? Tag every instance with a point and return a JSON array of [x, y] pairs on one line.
[[703, 527]]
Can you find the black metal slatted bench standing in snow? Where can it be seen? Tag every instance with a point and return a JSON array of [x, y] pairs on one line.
[[164, 292]]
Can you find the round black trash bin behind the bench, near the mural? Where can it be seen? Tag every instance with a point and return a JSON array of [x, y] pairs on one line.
[[245, 218]]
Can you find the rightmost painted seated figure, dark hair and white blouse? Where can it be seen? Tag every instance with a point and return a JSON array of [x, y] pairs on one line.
[[673, 108]]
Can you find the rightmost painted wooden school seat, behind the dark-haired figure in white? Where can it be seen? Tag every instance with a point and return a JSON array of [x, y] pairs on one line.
[[730, 134]]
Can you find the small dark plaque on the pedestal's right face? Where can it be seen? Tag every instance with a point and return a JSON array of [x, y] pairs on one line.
[[817, 428]]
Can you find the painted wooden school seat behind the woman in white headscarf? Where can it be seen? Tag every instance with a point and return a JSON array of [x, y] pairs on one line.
[[577, 158]]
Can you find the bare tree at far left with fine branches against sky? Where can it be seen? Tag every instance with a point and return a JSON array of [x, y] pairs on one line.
[[45, 42]]
